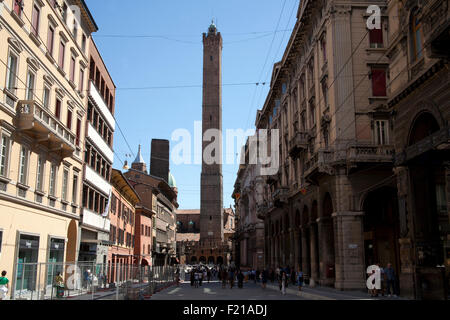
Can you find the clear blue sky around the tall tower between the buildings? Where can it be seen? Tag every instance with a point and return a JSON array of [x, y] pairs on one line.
[[160, 45]]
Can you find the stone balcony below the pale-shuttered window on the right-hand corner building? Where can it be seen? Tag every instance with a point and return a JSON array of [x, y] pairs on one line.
[[370, 154]]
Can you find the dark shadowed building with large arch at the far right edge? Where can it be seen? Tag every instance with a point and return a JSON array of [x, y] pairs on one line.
[[419, 99]]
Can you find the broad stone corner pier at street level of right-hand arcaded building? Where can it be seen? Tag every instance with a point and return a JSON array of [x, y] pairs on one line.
[[350, 269]]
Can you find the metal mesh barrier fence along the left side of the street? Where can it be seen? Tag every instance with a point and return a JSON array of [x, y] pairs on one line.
[[88, 281]]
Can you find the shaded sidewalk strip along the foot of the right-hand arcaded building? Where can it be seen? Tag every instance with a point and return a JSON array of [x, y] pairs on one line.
[[327, 293]]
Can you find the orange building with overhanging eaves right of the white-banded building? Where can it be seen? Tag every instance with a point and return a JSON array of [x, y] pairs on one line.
[[122, 235]]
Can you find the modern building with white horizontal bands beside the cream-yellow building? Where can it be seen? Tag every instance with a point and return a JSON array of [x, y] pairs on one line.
[[98, 160]]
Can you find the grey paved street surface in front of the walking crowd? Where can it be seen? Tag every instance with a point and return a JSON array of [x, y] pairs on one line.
[[214, 291]]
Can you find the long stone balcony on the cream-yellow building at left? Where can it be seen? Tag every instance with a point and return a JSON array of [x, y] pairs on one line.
[[45, 128]]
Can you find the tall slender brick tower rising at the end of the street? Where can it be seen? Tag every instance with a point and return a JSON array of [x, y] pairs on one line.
[[211, 207]]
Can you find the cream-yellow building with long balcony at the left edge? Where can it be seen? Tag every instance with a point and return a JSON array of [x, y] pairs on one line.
[[43, 81]]
